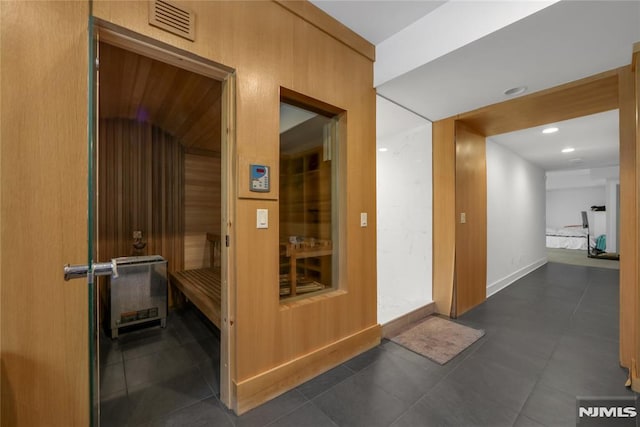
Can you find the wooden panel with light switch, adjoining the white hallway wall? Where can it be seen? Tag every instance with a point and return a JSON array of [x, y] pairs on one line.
[[470, 282]]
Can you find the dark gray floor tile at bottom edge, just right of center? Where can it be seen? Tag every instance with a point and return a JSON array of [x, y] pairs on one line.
[[355, 402]]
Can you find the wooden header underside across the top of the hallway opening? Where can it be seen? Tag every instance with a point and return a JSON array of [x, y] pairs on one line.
[[590, 95]]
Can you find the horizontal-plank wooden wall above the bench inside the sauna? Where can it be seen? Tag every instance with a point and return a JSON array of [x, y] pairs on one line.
[[201, 207]]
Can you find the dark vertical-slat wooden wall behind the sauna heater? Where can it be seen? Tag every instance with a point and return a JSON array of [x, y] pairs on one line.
[[140, 188]]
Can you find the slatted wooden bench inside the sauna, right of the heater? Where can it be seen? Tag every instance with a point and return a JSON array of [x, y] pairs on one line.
[[202, 286]]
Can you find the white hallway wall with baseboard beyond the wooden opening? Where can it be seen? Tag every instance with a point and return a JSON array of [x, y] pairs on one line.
[[515, 217]]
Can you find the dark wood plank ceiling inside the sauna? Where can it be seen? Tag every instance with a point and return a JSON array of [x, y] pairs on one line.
[[184, 104]]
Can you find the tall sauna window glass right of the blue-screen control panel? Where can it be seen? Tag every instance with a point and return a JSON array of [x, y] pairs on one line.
[[308, 239]]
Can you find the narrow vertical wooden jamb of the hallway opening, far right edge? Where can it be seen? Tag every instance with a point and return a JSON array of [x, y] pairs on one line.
[[628, 217]]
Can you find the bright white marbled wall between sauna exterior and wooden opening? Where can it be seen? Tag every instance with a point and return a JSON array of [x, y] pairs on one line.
[[404, 211]]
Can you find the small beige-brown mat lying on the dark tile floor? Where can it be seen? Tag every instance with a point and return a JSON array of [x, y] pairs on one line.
[[438, 339]]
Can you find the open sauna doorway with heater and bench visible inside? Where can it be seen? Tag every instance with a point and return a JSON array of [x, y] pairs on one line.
[[161, 195]]
